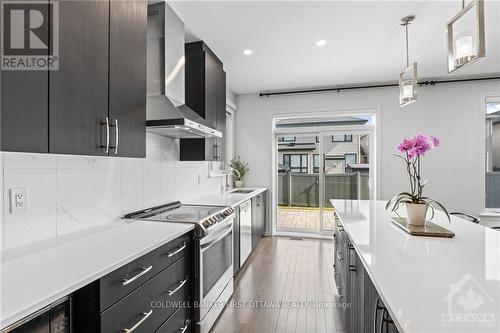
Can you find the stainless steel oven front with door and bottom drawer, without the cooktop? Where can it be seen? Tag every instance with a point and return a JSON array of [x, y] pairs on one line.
[[214, 275]]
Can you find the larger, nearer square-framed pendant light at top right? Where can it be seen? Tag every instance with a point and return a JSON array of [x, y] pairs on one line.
[[465, 34]]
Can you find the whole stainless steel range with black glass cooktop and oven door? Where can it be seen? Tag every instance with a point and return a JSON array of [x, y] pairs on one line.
[[213, 254]]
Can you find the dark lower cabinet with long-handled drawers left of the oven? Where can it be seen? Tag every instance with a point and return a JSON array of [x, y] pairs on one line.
[[154, 301]]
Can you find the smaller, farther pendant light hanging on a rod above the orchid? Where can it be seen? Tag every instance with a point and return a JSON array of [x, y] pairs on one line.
[[408, 77]]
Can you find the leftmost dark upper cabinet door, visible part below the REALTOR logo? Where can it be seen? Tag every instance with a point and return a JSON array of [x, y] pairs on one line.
[[24, 110]]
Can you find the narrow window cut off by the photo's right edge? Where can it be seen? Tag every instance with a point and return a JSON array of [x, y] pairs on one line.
[[492, 158]]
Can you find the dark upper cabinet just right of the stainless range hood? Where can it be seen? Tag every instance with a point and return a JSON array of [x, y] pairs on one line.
[[206, 94]]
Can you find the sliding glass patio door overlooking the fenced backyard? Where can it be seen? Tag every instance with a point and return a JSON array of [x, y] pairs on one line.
[[313, 168]]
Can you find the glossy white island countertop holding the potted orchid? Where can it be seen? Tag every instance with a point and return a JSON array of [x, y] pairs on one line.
[[428, 284]]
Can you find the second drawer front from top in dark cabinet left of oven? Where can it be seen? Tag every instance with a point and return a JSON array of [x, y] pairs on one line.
[[150, 305]]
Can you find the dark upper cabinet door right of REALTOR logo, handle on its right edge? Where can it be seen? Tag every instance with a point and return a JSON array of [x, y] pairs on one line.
[[78, 91]]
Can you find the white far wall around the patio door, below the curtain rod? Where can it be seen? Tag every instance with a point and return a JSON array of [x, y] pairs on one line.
[[449, 111]]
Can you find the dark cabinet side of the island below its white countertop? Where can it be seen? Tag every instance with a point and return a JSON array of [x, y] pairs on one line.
[[364, 310]]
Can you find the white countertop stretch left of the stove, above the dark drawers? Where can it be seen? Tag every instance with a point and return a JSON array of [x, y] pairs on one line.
[[34, 276]]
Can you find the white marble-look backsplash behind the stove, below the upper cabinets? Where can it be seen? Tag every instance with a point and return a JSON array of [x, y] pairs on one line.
[[67, 192]]
